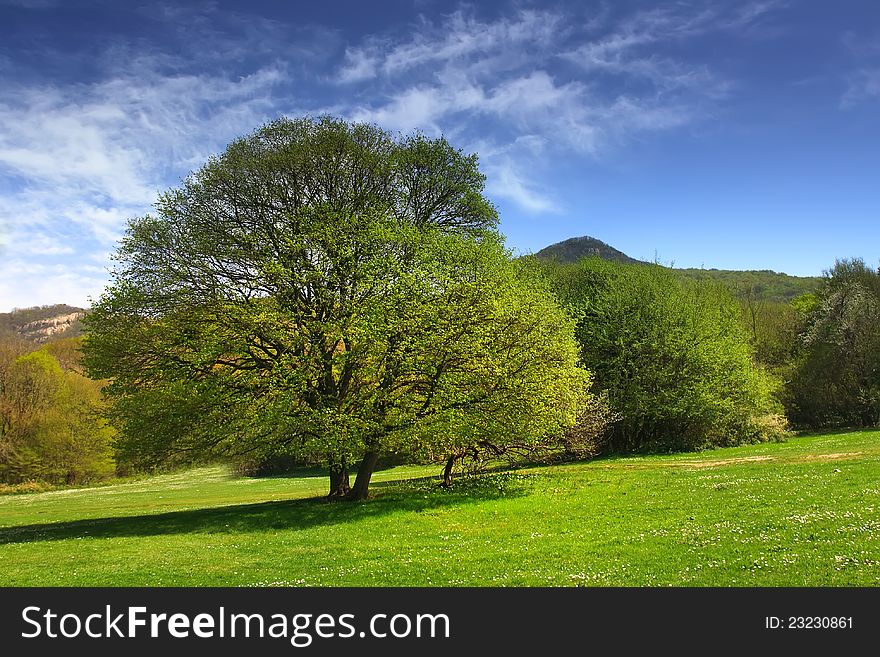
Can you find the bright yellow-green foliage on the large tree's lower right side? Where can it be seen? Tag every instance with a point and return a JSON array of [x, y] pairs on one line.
[[519, 387]]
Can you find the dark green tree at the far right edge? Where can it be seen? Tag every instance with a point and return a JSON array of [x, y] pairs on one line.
[[836, 379]]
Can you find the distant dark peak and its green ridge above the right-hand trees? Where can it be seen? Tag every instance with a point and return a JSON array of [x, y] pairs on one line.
[[763, 284]]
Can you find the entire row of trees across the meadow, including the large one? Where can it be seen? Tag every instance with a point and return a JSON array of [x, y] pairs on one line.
[[330, 293]]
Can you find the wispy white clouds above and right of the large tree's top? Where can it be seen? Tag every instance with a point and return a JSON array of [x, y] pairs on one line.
[[457, 75]]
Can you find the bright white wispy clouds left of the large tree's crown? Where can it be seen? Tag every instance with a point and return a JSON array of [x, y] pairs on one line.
[[78, 159]]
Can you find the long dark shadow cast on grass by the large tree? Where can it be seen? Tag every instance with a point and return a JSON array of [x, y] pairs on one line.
[[411, 496]]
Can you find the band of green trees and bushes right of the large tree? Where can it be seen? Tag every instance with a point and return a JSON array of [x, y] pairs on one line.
[[664, 342]]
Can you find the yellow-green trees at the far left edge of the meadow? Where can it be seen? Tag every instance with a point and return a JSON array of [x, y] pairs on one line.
[[50, 424]]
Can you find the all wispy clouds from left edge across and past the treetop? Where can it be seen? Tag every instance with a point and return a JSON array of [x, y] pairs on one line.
[[522, 89]]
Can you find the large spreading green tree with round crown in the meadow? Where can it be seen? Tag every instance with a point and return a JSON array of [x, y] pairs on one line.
[[326, 289]]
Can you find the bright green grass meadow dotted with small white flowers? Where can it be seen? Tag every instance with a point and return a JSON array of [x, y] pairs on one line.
[[801, 513]]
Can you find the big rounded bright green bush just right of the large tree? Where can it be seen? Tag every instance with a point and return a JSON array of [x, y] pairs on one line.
[[671, 355]]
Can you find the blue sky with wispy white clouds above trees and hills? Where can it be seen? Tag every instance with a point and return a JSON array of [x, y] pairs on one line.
[[733, 135]]
